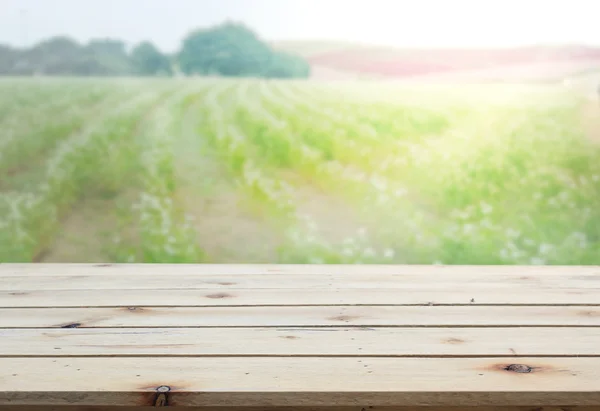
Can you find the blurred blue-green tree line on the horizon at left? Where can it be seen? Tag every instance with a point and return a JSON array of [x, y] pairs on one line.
[[228, 49]]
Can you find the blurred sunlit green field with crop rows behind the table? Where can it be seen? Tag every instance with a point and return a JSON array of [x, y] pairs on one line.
[[296, 172]]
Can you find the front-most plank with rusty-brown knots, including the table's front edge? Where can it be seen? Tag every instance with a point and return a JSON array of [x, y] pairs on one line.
[[300, 381]]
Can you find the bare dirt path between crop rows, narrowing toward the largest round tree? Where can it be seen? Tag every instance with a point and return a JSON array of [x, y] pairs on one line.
[[228, 231]]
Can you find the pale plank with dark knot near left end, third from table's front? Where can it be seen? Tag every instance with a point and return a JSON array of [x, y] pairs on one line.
[[456, 316]]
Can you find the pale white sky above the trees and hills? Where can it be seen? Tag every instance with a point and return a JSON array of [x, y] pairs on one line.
[[402, 23]]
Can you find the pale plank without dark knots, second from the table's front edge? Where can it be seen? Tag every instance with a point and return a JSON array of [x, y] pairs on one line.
[[432, 342]]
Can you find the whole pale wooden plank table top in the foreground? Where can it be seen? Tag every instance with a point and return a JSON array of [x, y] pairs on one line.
[[290, 336]]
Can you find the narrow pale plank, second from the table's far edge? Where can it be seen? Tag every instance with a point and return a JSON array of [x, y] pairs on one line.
[[409, 282]]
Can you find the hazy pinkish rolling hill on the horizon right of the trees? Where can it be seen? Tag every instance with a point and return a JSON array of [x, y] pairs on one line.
[[535, 63]]
